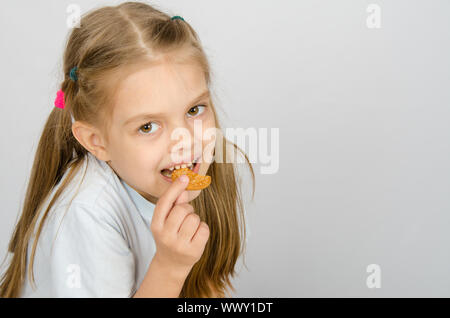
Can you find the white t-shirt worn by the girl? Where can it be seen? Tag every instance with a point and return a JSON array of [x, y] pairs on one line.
[[97, 245]]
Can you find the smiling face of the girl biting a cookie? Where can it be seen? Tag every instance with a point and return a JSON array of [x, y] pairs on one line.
[[139, 148]]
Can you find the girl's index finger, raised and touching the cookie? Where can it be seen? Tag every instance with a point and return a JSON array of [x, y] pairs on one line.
[[167, 200]]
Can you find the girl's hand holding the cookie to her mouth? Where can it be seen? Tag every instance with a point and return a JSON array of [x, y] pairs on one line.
[[179, 234]]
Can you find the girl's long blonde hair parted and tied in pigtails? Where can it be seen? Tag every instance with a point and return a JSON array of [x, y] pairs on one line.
[[108, 39]]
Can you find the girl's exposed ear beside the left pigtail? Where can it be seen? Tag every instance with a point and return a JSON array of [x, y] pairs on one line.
[[91, 139]]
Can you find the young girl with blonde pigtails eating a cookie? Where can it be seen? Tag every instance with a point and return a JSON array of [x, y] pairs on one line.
[[101, 216]]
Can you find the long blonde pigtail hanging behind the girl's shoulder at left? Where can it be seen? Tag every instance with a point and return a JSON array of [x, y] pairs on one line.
[[53, 156]]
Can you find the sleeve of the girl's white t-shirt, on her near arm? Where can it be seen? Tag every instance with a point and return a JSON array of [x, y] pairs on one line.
[[89, 256]]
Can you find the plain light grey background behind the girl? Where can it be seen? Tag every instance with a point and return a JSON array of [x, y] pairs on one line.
[[363, 115]]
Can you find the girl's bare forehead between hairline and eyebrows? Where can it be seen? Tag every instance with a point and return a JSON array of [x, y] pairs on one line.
[[160, 88]]
